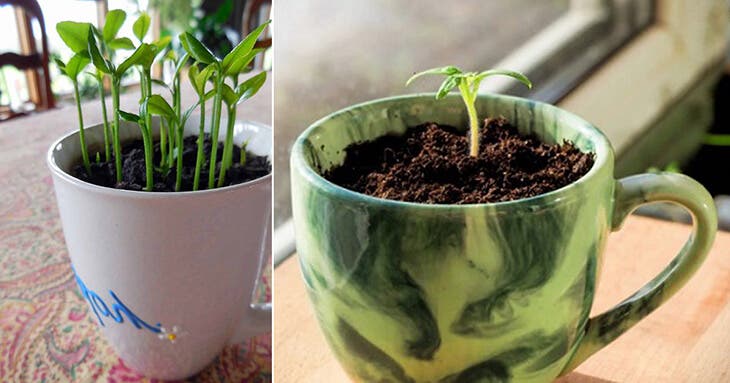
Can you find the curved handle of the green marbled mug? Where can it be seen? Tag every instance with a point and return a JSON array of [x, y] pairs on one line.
[[629, 194]]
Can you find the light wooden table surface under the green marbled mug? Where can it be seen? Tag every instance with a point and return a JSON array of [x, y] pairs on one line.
[[685, 340]]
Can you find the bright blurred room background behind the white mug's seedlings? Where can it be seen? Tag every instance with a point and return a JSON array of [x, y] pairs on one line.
[[218, 23]]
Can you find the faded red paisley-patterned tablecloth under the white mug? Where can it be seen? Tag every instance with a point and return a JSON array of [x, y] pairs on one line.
[[46, 331]]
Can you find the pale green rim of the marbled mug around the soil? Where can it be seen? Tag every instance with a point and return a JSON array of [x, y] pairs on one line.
[[604, 154]]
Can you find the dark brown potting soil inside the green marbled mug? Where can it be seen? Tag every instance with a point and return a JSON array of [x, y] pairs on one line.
[[431, 164]]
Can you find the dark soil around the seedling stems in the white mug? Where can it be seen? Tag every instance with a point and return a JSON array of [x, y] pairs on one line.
[[134, 171]]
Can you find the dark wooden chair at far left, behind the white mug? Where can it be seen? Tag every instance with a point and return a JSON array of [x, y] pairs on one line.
[[39, 80]]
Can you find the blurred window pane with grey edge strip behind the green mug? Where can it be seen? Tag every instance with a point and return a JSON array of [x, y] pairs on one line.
[[333, 54]]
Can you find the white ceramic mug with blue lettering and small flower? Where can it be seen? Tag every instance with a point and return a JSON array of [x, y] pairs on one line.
[[168, 276]]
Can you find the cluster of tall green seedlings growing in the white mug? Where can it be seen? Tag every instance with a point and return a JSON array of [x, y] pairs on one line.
[[99, 47]]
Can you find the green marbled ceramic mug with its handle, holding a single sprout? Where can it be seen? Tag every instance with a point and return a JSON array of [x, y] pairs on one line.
[[408, 292]]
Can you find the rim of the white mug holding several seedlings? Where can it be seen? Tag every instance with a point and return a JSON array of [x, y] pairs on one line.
[[104, 190]]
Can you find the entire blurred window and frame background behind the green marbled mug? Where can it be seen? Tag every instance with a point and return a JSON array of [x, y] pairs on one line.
[[652, 74]]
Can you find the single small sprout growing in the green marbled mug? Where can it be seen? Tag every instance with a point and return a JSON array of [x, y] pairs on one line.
[[468, 85]]
